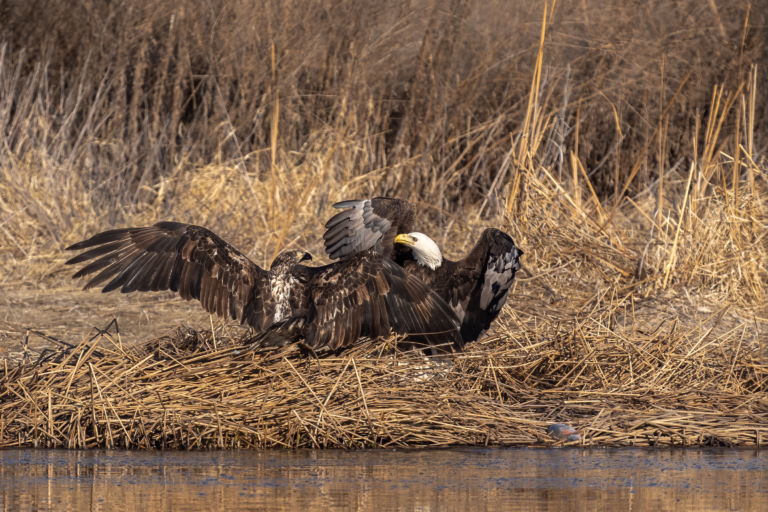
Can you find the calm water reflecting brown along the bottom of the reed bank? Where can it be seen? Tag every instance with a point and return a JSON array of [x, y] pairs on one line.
[[462, 479]]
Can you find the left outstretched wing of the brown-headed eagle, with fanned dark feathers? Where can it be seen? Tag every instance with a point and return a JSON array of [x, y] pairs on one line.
[[183, 258]]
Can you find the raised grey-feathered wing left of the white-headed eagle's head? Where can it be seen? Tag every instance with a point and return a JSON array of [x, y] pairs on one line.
[[367, 224]]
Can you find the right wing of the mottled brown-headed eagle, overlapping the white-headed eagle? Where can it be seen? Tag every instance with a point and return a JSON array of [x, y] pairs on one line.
[[368, 295]]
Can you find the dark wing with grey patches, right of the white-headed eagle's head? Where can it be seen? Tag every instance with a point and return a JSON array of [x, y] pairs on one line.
[[494, 261]]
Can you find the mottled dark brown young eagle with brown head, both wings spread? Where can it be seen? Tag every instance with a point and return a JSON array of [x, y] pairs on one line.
[[328, 306]]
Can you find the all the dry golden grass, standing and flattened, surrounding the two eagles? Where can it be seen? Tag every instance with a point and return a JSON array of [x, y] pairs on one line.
[[629, 171]]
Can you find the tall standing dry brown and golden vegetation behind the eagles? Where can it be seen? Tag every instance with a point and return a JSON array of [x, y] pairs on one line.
[[637, 128]]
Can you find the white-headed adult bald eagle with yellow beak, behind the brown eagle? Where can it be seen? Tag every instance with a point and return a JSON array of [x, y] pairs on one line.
[[475, 287]]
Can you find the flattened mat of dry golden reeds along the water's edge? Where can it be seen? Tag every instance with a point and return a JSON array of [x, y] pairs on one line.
[[617, 386]]
